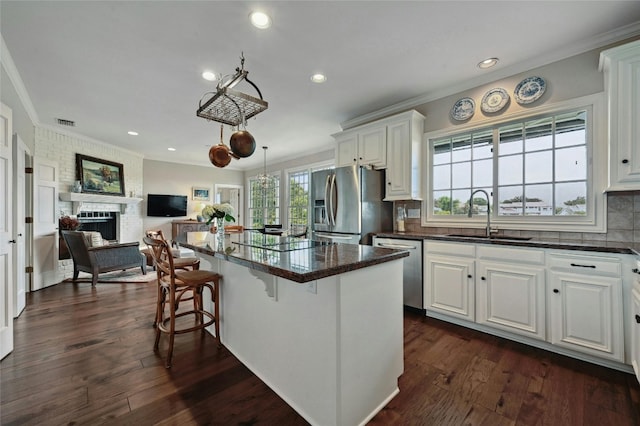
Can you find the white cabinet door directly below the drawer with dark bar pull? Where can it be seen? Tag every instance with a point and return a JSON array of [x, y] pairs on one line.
[[586, 314]]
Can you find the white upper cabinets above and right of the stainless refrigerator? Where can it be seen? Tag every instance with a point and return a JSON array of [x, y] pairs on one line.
[[393, 144]]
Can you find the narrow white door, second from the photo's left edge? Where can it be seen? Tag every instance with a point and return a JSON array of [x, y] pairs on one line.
[[19, 227]]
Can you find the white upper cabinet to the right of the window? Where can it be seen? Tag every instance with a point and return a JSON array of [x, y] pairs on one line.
[[621, 66]]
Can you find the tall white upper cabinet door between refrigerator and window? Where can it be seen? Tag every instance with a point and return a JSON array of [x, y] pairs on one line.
[[398, 162]]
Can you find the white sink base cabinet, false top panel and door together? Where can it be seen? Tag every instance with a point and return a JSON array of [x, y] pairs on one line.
[[510, 290]]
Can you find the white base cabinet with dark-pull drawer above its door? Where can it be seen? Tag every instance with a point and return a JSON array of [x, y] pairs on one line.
[[585, 302]]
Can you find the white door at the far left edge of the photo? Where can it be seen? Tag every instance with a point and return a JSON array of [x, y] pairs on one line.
[[6, 234]]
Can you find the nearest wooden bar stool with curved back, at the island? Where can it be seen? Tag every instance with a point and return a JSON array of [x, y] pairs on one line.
[[174, 283]]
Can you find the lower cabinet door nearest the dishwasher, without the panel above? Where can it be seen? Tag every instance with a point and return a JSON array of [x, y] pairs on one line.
[[449, 286]]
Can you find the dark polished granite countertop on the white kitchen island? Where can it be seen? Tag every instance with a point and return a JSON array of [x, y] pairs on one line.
[[303, 263]]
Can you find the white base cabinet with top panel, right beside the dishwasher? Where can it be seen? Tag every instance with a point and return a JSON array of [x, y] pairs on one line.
[[449, 284]]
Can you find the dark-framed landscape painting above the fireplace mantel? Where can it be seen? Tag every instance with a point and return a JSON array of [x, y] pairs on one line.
[[98, 176]]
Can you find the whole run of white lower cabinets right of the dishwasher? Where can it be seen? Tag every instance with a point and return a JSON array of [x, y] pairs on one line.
[[566, 299]]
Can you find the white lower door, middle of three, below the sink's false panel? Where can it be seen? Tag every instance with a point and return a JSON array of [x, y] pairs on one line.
[[511, 297]]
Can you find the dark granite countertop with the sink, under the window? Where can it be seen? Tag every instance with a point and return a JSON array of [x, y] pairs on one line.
[[596, 246]]
